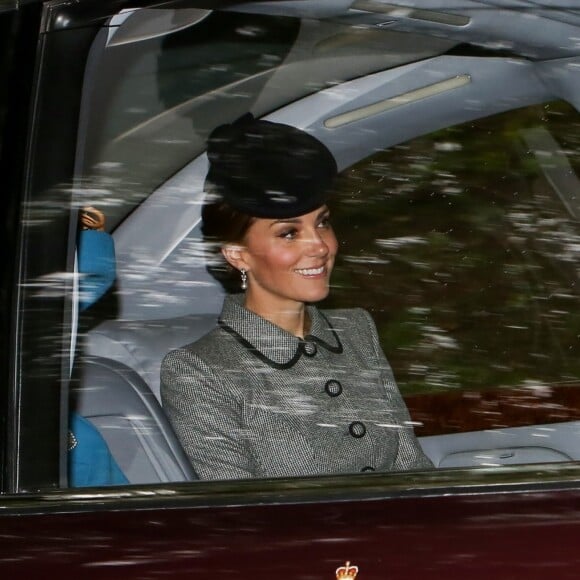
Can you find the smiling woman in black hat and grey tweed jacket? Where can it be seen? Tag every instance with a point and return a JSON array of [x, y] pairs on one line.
[[279, 387]]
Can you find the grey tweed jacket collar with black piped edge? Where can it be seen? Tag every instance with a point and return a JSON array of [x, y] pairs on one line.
[[270, 343]]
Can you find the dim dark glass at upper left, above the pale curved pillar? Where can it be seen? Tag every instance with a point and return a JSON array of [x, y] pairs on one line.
[[150, 104]]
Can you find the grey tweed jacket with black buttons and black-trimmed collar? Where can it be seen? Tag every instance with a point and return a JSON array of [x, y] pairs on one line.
[[251, 400]]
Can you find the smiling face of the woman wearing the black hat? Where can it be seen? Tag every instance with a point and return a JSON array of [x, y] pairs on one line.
[[288, 261]]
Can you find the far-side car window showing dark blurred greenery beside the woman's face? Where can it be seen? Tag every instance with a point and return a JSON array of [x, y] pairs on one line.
[[464, 245]]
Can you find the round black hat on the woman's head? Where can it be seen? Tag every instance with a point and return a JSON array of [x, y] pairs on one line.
[[269, 170]]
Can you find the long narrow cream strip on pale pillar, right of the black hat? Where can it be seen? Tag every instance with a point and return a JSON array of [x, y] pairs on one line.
[[397, 101]]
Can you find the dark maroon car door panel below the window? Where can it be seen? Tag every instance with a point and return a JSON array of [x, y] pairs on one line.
[[478, 534]]
